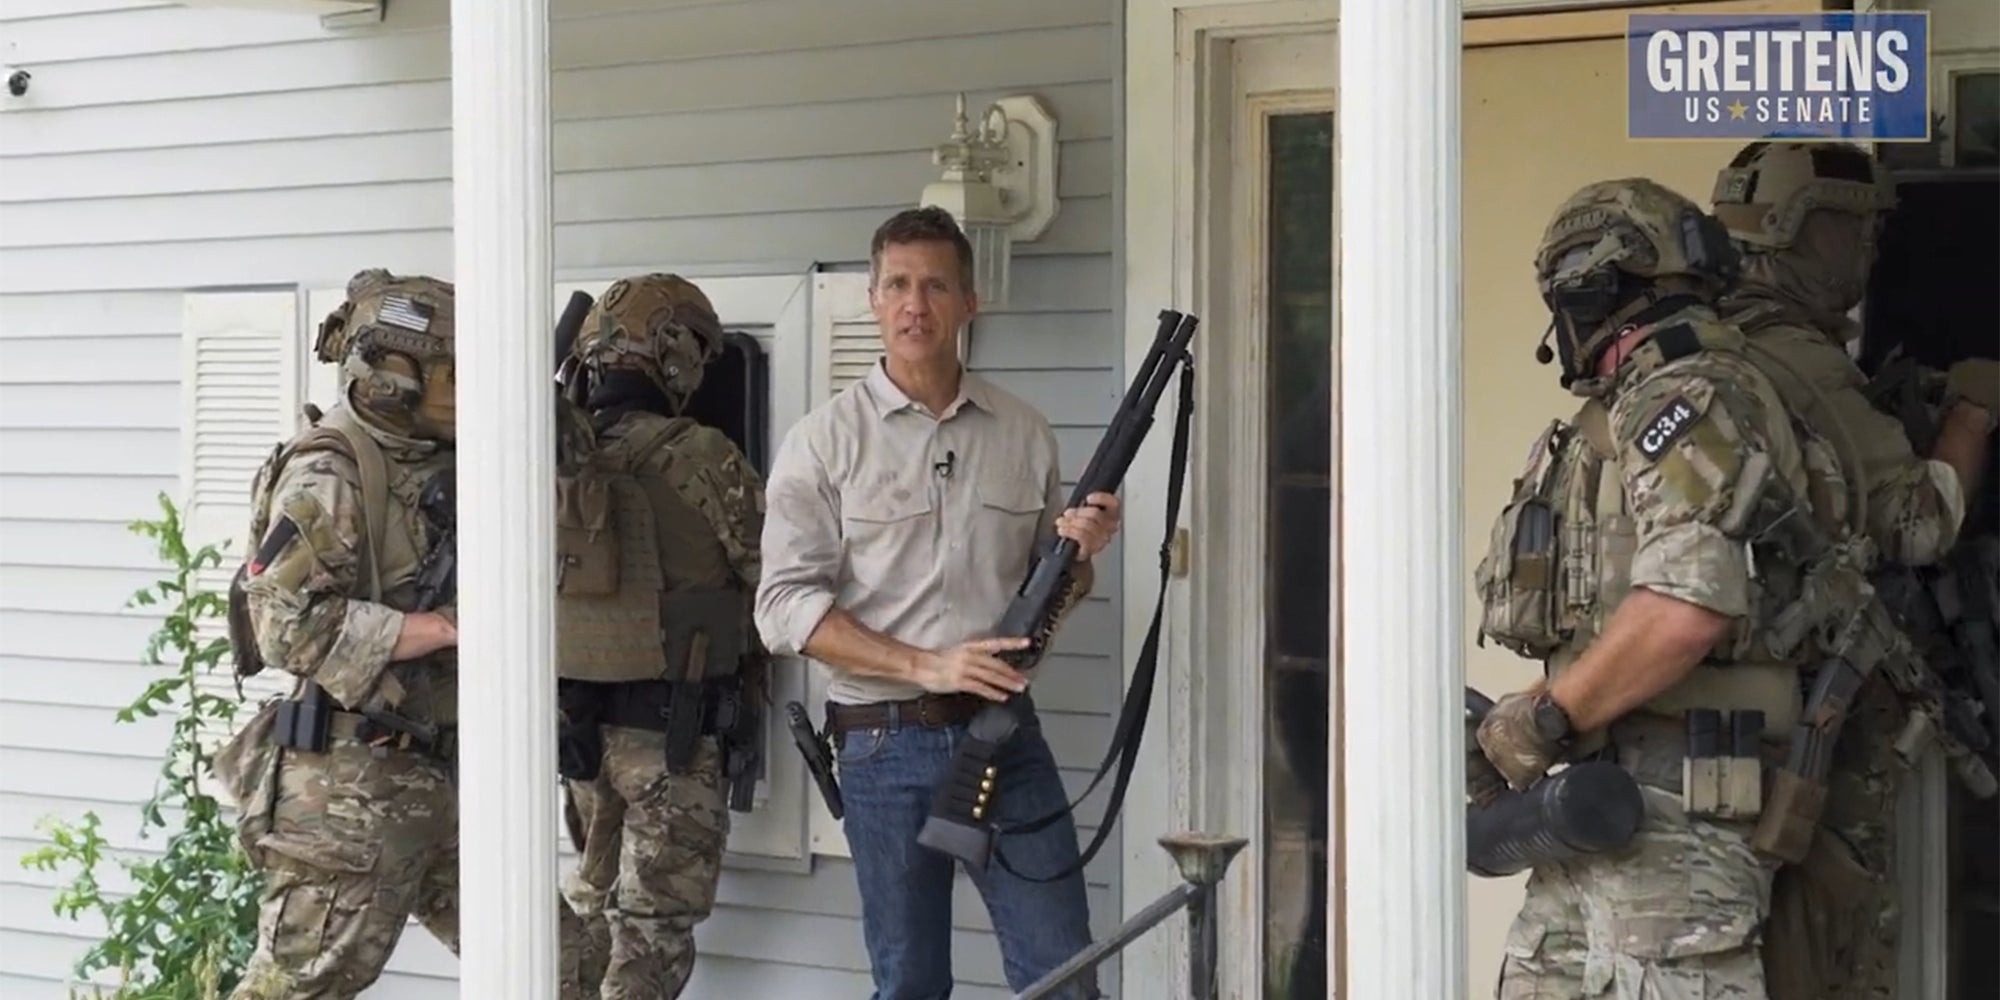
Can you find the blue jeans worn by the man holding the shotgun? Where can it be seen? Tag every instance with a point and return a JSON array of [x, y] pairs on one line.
[[887, 781]]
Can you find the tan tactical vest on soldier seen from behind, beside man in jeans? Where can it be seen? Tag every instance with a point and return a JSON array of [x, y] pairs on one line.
[[643, 587]]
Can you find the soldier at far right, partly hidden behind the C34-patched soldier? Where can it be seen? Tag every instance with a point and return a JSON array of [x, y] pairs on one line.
[[1807, 221]]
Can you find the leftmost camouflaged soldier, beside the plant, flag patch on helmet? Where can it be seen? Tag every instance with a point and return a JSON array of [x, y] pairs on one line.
[[347, 787]]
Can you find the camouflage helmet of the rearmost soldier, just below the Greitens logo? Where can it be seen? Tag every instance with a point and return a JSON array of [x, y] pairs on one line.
[[1771, 187]]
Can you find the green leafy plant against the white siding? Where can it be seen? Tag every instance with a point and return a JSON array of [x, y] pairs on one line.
[[189, 923]]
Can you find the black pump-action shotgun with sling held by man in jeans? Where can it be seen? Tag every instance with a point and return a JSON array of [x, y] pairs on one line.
[[965, 799]]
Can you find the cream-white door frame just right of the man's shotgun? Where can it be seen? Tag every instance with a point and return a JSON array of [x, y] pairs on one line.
[[1181, 101]]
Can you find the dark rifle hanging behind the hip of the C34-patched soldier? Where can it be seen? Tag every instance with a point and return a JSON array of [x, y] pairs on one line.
[[1843, 615]]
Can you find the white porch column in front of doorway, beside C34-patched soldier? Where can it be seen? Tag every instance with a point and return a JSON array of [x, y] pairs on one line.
[[1399, 575]]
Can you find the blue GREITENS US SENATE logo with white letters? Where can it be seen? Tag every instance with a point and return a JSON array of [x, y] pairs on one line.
[[1809, 77]]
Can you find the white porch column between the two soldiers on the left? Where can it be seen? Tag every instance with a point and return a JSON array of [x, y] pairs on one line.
[[507, 703]]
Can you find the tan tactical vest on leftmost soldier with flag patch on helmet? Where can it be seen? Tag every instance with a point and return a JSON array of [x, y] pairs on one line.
[[391, 553]]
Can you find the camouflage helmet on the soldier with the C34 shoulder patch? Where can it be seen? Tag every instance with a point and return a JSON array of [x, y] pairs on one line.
[[1619, 247]]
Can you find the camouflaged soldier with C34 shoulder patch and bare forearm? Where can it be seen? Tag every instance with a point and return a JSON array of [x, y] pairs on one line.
[[1631, 563]]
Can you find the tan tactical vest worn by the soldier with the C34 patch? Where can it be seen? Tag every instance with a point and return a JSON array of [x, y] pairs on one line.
[[1561, 555]]
